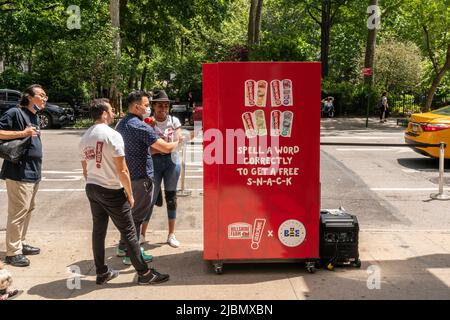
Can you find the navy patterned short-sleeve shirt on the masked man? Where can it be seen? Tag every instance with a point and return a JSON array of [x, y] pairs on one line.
[[138, 137]]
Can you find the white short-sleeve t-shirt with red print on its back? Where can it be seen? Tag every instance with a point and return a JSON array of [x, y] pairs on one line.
[[98, 147]]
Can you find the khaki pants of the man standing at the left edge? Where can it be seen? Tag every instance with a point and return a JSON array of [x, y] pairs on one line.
[[21, 204]]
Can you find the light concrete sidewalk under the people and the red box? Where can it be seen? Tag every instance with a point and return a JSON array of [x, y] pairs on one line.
[[412, 265]]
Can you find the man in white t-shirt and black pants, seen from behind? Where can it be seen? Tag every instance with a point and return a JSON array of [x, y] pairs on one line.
[[108, 188]]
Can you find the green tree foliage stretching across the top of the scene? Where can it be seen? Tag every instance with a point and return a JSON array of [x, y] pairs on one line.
[[162, 38]]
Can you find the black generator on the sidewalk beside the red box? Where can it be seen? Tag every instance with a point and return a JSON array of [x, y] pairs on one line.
[[339, 236]]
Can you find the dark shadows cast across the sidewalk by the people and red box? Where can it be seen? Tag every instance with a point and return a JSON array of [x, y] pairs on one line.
[[399, 279]]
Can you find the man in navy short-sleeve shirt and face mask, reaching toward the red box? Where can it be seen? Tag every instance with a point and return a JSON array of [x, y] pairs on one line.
[[138, 137]]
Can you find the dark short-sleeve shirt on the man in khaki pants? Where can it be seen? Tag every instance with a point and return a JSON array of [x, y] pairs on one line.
[[29, 168]]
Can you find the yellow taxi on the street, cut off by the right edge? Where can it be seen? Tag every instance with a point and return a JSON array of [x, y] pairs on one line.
[[430, 127]]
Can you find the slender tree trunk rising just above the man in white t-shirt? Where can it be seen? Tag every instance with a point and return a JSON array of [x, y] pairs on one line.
[[114, 10]]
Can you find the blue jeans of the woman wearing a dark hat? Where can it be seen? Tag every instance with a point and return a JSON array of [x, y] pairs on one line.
[[167, 168]]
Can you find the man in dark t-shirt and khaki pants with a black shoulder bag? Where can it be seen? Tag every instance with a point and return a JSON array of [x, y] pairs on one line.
[[22, 179]]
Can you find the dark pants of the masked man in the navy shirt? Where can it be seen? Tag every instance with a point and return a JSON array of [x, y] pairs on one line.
[[143, 196]]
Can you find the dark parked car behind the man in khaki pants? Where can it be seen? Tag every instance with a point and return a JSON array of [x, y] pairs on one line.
[[52, 116]]
